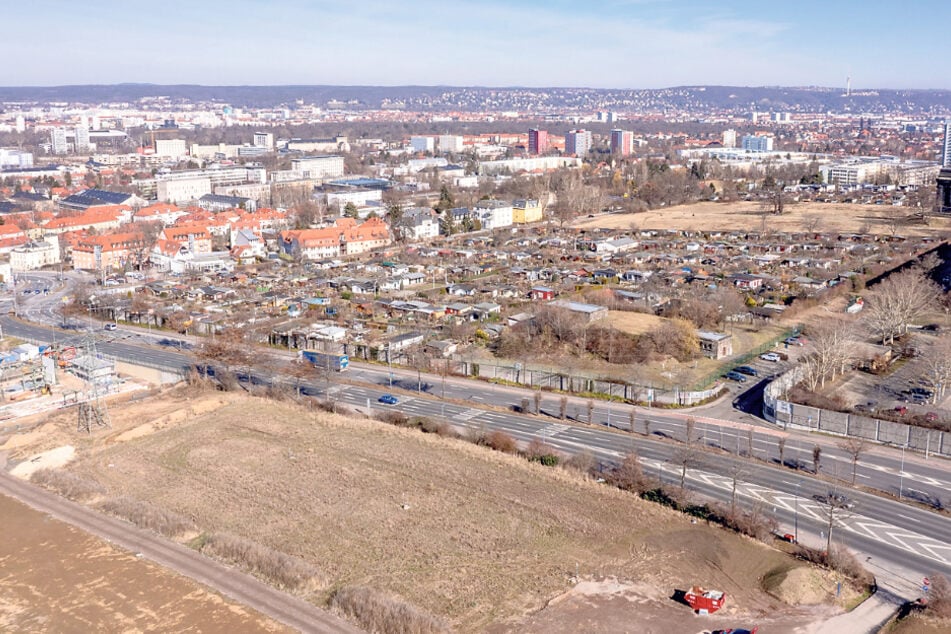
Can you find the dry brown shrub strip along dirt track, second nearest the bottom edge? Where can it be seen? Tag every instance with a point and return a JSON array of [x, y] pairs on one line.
[[287, 572]]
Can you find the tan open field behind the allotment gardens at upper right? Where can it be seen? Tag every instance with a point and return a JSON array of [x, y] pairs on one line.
[[819, 217]]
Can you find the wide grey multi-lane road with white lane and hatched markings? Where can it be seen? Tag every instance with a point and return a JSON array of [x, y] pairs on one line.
[[903, 542]]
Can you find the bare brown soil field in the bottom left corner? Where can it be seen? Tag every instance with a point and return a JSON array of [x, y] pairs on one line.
[[54, 578]]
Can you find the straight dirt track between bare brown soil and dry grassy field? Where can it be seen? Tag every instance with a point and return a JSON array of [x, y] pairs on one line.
[[240, 587]]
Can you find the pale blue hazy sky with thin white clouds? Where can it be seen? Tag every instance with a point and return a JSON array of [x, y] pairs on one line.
[[594, 43]]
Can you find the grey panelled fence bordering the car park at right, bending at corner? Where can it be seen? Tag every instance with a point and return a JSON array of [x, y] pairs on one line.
[[781, 412]]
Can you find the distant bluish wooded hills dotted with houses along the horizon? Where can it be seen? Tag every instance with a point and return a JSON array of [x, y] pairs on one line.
[[541, 100]]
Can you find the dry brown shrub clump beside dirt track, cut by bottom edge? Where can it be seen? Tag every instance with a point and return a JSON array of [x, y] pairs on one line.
[[377, 613]]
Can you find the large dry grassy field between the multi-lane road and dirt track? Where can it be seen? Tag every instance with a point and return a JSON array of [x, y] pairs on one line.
[[483, 539]]
